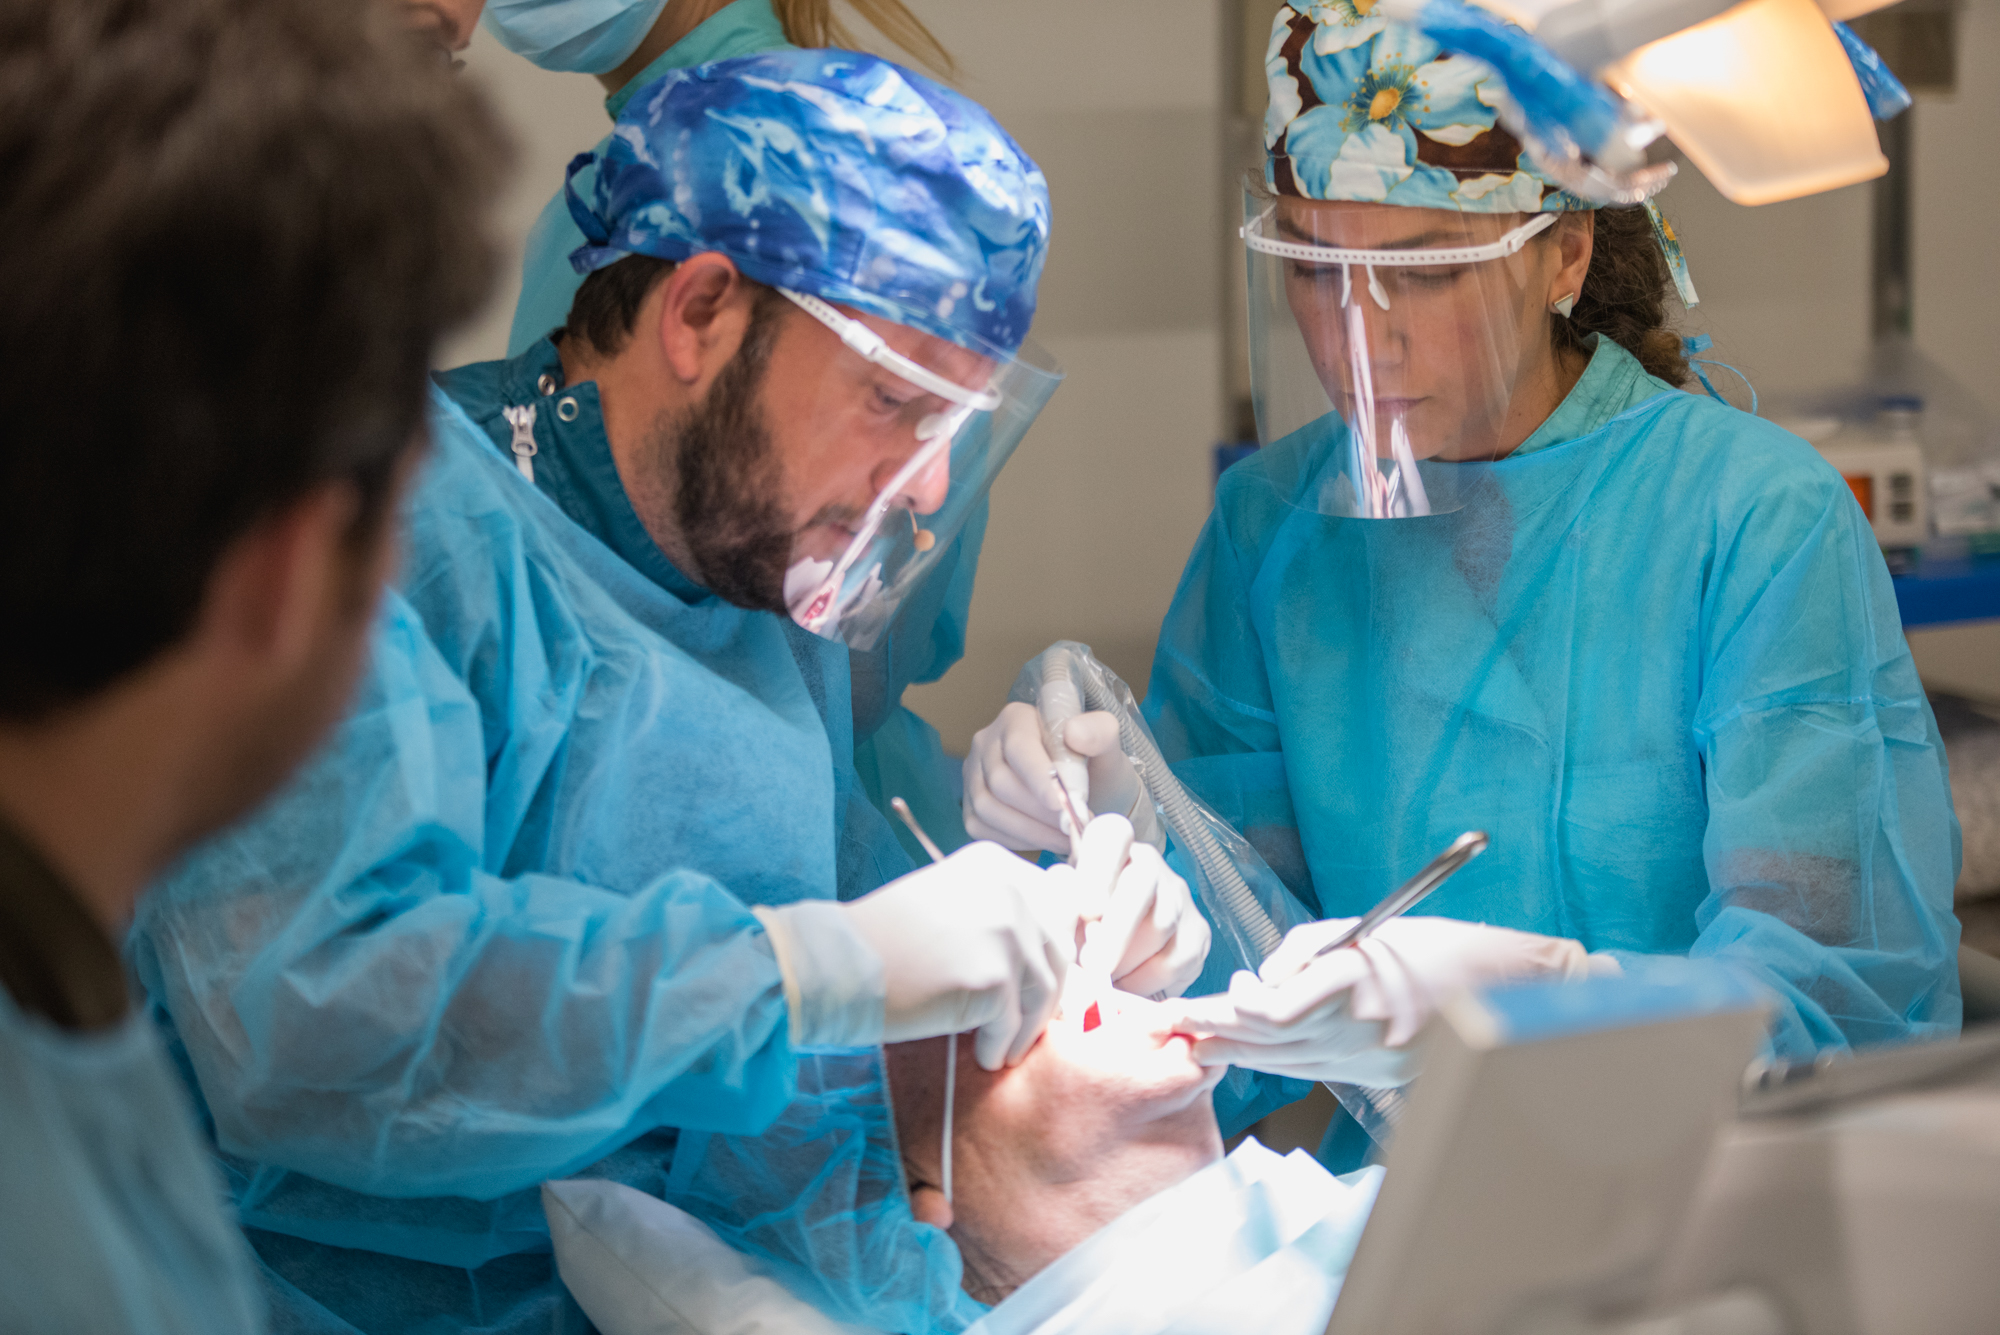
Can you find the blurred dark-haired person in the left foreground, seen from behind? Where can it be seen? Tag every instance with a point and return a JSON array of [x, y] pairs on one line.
[[231, 237]]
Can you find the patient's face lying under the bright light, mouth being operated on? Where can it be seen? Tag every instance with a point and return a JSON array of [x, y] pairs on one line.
[[1049, 1152]]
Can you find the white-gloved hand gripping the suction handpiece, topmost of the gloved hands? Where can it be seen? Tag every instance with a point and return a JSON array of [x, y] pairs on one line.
[[1011, 796]]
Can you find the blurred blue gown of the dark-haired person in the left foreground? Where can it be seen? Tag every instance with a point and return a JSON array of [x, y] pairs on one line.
[[111, 1218]]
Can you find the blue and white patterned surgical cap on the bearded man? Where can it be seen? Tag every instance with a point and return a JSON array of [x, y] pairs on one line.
[[829, 173]]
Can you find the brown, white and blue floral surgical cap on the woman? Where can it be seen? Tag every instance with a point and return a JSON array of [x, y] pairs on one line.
[[1365, 109]]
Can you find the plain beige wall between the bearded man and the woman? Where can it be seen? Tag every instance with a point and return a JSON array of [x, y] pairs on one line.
[[1095, 517]]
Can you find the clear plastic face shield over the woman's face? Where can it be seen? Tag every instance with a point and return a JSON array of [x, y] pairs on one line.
[[1389, 345]]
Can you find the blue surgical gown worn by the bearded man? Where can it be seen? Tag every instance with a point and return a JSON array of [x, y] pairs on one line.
[[499, 928]]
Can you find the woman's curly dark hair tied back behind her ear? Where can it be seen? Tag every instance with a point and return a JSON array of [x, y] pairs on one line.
[[1625, 297]]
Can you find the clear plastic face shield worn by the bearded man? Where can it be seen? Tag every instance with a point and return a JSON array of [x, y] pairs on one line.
[[973, 417]]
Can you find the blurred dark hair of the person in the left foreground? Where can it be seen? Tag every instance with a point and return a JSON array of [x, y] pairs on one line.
[[231, 237]]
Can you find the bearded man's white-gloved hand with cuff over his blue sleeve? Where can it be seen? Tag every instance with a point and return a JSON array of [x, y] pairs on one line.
[[975, 942]]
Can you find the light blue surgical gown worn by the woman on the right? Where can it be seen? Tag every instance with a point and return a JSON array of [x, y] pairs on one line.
[[1657, 659]]
